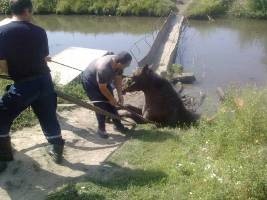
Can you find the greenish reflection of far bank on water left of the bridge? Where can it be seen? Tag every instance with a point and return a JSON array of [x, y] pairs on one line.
[[95, 25]]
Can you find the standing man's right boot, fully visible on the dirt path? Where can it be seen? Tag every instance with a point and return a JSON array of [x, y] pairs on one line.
[[56, 151]]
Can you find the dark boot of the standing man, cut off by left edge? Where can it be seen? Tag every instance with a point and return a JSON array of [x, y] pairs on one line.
[[6, 154]]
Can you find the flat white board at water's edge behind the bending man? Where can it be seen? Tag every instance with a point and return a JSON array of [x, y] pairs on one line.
[[75, 57]]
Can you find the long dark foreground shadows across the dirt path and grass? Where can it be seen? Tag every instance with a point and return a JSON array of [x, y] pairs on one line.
[[25, 178]]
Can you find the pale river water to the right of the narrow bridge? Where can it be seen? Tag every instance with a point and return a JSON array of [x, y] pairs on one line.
[[225, 52]]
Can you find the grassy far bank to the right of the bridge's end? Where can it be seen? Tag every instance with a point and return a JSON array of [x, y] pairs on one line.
[[236, 8]]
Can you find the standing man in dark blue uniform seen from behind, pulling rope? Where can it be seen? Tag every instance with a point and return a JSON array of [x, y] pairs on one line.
[[24, 55]]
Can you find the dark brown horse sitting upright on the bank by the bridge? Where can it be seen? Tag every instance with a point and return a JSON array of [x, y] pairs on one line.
[[163, 104]]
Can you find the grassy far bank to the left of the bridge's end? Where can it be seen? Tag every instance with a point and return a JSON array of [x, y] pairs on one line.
[[101, 7]]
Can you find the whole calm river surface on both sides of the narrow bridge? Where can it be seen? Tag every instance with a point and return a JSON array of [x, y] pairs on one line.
[[220, 53]]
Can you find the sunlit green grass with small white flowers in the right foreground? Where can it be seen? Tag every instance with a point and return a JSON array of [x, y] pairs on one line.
[[225, 159]]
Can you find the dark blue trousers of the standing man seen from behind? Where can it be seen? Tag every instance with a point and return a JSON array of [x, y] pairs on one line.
[[37, 92]]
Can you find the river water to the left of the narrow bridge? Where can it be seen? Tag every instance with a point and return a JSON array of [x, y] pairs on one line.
[[107, 33]]
